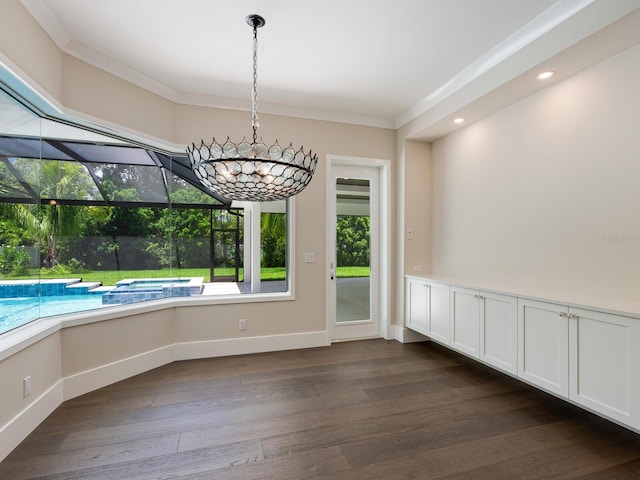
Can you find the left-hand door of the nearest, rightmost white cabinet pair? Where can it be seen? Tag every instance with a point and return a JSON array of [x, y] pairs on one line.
[[543, 345]]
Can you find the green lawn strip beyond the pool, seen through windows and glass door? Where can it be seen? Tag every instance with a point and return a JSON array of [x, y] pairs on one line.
[[111, 277]]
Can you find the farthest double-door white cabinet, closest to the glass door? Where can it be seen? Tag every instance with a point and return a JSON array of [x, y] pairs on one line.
[[427, 308]]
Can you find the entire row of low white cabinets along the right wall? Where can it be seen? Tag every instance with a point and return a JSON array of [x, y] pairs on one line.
[[589, 357]]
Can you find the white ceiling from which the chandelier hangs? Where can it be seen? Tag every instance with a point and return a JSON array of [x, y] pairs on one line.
[[372, 62]]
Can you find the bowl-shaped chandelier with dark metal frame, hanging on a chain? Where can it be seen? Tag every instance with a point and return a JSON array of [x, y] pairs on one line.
[[250, 170]]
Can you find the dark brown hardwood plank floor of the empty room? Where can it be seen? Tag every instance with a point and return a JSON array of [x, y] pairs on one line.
[[361, 410]]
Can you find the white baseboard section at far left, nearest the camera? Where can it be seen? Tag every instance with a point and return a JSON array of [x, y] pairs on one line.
[[14, 432]]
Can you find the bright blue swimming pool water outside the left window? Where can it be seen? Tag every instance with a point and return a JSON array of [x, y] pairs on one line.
[[15, 312]]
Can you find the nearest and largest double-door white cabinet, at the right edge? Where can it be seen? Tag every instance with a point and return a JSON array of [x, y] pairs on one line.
[[592, 358]]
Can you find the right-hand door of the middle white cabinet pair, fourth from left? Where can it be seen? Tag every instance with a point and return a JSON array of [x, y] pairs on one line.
[[499, 331]]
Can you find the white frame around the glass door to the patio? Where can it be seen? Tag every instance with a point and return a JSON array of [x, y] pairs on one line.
[[384, 169]]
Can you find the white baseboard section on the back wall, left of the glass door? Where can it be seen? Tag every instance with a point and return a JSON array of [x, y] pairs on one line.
[[241, 346]]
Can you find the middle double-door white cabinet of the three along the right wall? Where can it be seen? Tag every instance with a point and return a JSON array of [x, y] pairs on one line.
[[484, 326]]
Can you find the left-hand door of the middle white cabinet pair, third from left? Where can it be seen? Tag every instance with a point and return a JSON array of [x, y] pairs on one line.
[[465, 328]]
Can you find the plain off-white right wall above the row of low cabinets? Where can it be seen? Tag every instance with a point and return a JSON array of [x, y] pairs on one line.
[[546, 193]]
